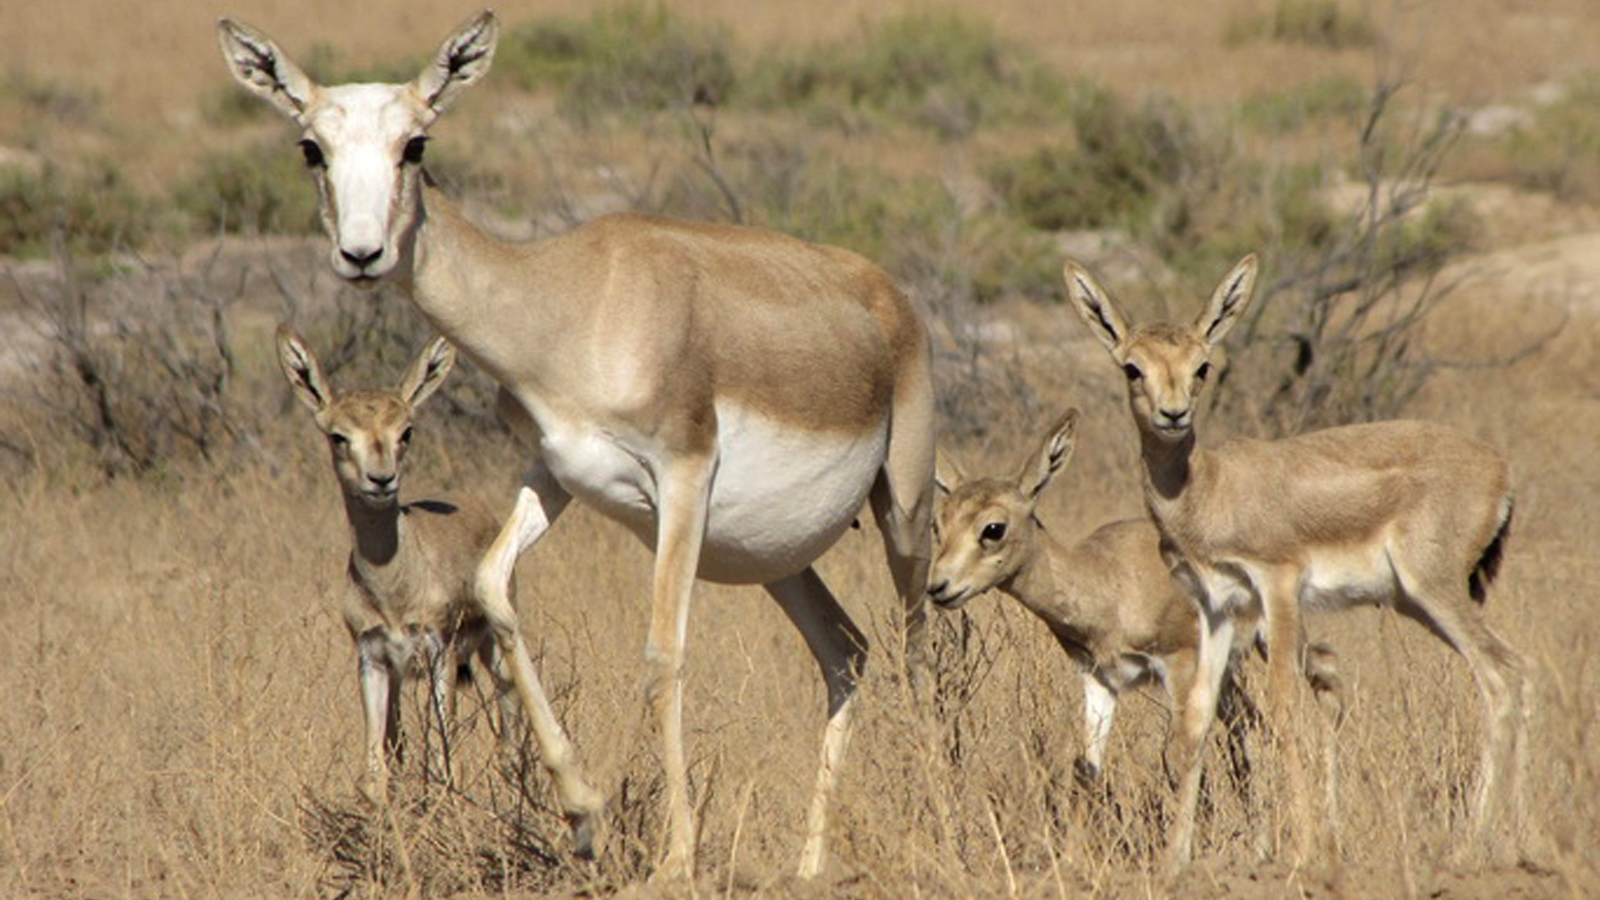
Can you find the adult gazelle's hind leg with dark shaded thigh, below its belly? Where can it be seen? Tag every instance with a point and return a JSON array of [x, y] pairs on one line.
[[841, 651]]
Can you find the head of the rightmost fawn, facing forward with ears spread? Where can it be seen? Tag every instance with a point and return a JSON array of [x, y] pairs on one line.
[[1167, 366]]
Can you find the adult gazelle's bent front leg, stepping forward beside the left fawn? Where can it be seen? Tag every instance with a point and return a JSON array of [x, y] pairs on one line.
[[538, 504]]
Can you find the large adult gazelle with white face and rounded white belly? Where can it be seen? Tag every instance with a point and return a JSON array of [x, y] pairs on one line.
[[730, 395]]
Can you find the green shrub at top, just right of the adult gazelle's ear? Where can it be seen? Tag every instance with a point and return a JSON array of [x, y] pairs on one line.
[[625, 58]]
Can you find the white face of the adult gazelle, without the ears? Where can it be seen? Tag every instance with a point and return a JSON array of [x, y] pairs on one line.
[[364, 148]]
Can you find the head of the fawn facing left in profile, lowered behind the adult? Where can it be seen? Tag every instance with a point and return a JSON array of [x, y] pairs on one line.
[[988, 528]]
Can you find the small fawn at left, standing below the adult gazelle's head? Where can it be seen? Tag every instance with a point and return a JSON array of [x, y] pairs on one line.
[[409, 593]]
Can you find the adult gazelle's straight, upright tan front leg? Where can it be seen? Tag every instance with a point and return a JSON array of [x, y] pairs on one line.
[[681, 529]]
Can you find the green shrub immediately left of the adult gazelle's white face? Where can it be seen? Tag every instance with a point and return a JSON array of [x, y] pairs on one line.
[[262, 190]]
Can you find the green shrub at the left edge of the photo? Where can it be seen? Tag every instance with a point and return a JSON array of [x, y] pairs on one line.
[[92, 212]]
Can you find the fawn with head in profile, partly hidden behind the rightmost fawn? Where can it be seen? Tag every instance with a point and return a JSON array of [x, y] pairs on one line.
[[1108, 600]]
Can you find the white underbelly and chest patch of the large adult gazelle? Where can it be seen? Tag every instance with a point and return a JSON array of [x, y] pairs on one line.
[[780, 497]]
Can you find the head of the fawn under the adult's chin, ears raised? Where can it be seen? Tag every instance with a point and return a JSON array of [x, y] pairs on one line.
[[369, 432]]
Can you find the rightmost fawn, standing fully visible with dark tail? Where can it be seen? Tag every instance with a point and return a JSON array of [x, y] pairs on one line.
[[1402, 515]]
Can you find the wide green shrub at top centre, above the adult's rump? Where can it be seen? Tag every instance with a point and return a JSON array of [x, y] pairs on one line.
[[937, 70]]
